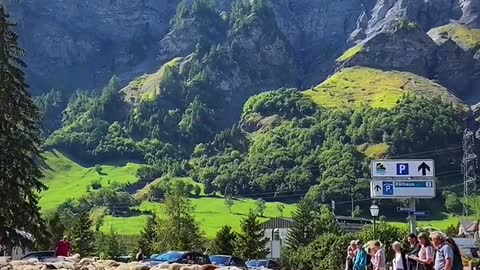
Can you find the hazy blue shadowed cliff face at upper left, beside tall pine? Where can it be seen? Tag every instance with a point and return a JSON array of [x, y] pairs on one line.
[[80, 44]]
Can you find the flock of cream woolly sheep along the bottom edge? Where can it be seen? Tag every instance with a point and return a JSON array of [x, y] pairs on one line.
[[75, 263]]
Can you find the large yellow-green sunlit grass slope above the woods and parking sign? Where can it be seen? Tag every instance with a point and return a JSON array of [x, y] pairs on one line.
[[361, 85]]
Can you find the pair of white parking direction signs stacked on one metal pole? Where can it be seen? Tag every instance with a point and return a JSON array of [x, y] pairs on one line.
[[404, 179]]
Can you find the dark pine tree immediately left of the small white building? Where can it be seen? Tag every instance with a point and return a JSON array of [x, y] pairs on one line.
[[251, 243]]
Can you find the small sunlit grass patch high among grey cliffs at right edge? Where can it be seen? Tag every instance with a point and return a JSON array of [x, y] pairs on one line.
[[465, 37]]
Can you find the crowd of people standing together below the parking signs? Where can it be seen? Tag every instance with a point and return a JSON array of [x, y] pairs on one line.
[[425, 252]]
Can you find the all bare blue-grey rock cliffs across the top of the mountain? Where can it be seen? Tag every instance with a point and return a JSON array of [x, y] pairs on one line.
[[73, 44]]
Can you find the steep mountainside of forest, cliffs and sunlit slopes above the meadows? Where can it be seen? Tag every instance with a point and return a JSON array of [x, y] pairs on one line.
[[274, 99]]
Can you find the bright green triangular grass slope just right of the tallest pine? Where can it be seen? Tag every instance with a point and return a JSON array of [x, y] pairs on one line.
[[69, 180]]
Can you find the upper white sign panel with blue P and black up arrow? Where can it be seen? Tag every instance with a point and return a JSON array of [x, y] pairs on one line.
[[398, 168]]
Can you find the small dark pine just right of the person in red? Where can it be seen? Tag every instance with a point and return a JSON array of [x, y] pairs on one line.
[[82, 234]]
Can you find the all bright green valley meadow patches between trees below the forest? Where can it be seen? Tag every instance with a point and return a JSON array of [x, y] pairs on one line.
[[67, 179]]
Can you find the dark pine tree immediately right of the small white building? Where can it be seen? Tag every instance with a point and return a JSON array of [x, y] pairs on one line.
[[302, 231]]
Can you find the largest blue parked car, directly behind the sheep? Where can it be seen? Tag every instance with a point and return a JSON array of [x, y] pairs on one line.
[[189, 257]]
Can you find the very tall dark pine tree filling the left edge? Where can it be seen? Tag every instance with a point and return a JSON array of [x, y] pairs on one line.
[[20, 173]]
